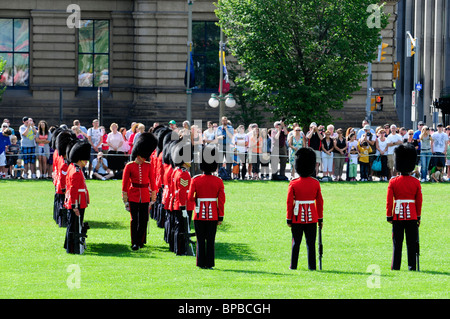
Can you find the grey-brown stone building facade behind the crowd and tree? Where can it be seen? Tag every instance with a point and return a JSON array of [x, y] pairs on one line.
[[136, 51]]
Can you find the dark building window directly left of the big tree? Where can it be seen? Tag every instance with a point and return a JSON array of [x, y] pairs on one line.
[[205, 38]]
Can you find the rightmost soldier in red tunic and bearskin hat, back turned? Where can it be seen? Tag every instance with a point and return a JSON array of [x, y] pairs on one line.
[[404, 206]]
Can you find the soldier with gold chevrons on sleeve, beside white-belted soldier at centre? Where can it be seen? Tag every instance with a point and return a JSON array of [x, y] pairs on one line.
[[180, 206]]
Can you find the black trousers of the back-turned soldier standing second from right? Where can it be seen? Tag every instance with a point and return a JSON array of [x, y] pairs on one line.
[[310, 231]]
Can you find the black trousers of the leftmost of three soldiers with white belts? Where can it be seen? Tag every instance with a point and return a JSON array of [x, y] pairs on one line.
[[205, 231]]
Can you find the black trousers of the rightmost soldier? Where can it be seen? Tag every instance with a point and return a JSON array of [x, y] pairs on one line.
[[399, 229]]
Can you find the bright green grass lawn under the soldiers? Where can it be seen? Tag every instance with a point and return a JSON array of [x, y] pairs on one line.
[[252, 248]]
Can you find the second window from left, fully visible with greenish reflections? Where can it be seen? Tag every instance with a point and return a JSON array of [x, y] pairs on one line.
[[93, 54]]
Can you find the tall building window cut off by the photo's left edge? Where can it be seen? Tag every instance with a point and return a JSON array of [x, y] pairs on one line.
[[15, 49]]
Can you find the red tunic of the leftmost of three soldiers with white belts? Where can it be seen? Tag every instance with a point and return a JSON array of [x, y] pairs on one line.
[[207, 193]]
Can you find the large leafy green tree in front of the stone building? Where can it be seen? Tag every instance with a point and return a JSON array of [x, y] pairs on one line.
[[301, 57]]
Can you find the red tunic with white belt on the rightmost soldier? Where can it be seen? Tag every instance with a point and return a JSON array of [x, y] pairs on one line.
[[404, 198]]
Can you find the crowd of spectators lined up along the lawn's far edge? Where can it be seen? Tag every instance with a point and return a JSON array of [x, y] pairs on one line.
[[248, 153]]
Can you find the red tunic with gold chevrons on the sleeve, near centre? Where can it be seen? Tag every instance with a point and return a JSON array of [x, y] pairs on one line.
[[181, 180]]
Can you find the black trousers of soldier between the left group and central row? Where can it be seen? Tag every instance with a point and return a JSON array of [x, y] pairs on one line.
[[138, 224]]
